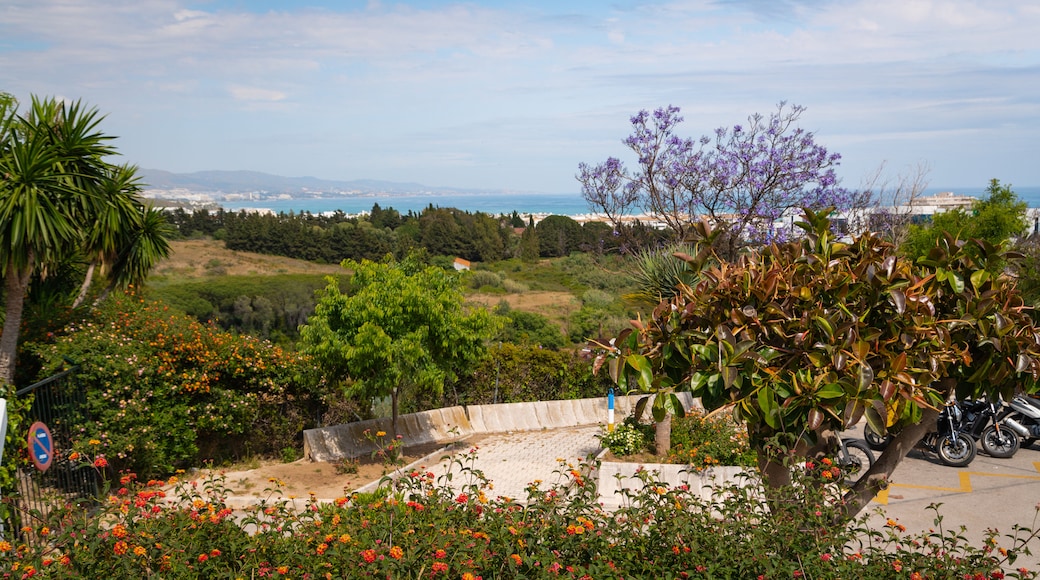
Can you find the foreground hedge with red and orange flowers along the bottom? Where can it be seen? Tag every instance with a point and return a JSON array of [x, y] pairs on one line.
[[419, 526]]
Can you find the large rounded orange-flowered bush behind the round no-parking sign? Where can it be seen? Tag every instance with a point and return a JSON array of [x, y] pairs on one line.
[[165, 391]]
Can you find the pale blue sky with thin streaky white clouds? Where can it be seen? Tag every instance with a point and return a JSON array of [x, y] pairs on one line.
[[512, 95]]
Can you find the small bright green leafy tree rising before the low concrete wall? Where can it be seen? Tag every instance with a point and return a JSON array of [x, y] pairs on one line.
[[402, 328]]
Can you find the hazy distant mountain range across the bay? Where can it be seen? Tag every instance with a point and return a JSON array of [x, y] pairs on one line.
[[241, 182]]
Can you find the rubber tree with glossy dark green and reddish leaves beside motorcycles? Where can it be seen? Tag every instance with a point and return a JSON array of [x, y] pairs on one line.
[[808, 337]]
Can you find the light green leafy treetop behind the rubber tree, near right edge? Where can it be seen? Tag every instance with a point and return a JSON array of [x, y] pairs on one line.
[[996, 219]]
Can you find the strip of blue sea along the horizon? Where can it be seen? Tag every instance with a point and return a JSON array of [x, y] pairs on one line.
[[525, 204]]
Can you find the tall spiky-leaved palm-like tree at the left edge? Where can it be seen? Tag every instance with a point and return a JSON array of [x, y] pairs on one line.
[[61, 198]]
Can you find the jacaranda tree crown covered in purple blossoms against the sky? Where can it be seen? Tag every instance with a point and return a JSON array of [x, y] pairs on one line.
[[743, 179]]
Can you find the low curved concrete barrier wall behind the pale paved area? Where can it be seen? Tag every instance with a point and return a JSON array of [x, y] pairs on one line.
[[445, 426]]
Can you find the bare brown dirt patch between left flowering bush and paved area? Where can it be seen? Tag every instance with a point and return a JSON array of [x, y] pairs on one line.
[[325, 480]]
